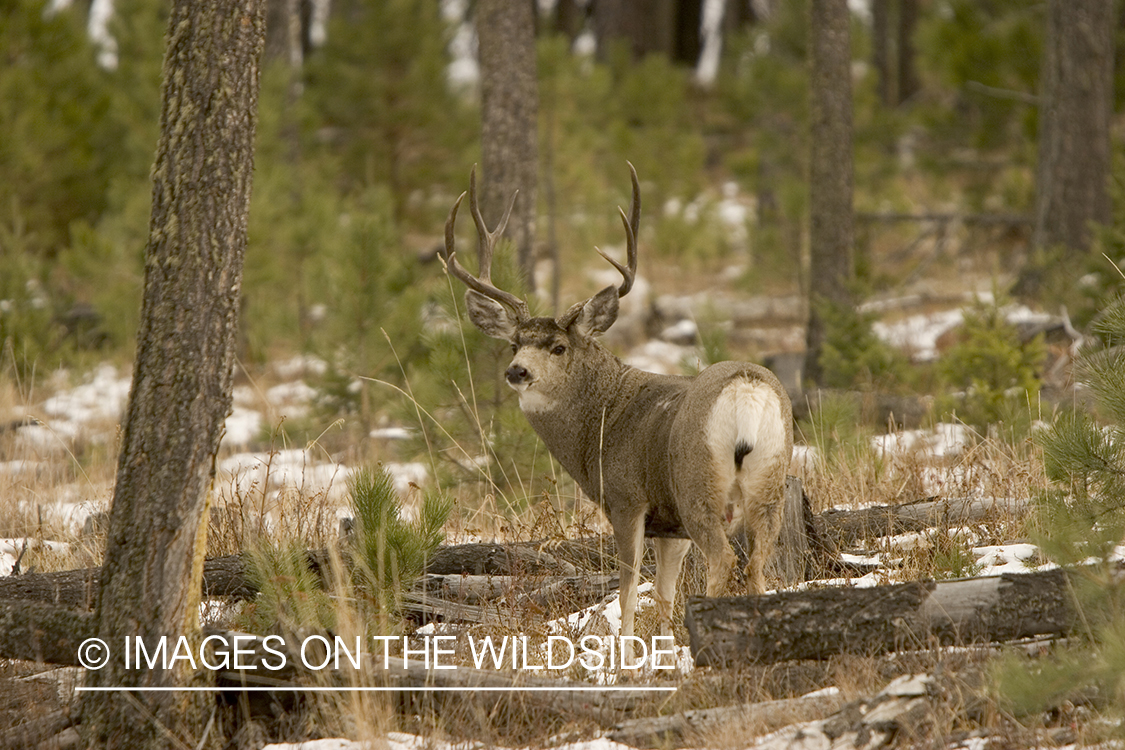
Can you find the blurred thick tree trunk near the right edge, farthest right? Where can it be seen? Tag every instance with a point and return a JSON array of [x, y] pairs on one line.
[[1074, 161]]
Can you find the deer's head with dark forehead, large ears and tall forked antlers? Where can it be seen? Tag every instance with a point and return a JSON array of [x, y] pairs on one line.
[[545, 349]]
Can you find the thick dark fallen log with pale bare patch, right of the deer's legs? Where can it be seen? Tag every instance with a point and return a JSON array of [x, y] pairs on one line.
[[815, 625]]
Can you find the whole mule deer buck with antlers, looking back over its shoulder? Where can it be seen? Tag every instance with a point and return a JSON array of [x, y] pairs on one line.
[[674, 458]]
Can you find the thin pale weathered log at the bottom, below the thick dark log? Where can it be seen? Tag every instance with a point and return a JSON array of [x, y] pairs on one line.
[[691, 729]]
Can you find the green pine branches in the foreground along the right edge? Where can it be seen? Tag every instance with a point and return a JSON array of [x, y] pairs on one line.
[[1081, 522]]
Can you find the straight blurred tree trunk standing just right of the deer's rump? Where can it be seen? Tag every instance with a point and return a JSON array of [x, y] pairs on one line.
[[831, 173]]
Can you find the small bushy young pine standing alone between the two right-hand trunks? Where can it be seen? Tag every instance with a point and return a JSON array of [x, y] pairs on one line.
[[997, 373]]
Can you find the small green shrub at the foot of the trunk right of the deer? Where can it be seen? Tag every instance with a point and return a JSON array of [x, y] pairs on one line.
[[853, 356]]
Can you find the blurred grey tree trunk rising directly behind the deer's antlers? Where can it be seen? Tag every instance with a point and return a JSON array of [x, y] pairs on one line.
[[509, 113]]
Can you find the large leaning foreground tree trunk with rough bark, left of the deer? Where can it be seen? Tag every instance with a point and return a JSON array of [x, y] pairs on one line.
[[183, 375]]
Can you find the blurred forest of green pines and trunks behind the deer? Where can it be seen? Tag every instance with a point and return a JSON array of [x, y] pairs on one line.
[[374, 111]]
